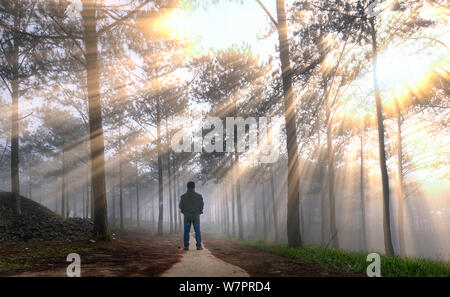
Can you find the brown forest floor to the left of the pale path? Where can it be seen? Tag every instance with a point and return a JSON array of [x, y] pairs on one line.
[[130, 254]]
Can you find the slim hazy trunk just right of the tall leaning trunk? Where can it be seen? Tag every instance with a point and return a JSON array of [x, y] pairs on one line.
[[401, 207]]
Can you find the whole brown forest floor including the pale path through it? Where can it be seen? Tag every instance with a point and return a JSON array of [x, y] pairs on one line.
[[134, 253]]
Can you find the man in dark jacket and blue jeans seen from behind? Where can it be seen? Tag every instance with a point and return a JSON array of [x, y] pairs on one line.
[[191, 205]]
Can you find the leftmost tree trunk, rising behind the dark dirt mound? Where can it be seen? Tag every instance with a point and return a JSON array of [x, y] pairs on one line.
[[15, 182]]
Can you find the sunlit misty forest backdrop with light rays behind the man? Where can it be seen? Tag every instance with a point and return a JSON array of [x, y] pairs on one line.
[[147, 79]]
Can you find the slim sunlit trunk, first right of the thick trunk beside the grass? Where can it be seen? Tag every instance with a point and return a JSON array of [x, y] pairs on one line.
[[330, 166]]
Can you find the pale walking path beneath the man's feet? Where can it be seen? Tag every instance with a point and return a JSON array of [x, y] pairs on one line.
[[203, 264]]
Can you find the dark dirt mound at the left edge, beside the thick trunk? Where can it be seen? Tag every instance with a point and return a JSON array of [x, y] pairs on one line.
[[38, 223]]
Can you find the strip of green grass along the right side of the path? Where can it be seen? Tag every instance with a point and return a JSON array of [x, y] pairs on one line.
[[355, 261]]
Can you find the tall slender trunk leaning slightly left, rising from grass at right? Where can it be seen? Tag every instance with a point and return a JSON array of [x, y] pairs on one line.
[[389, 249]]
